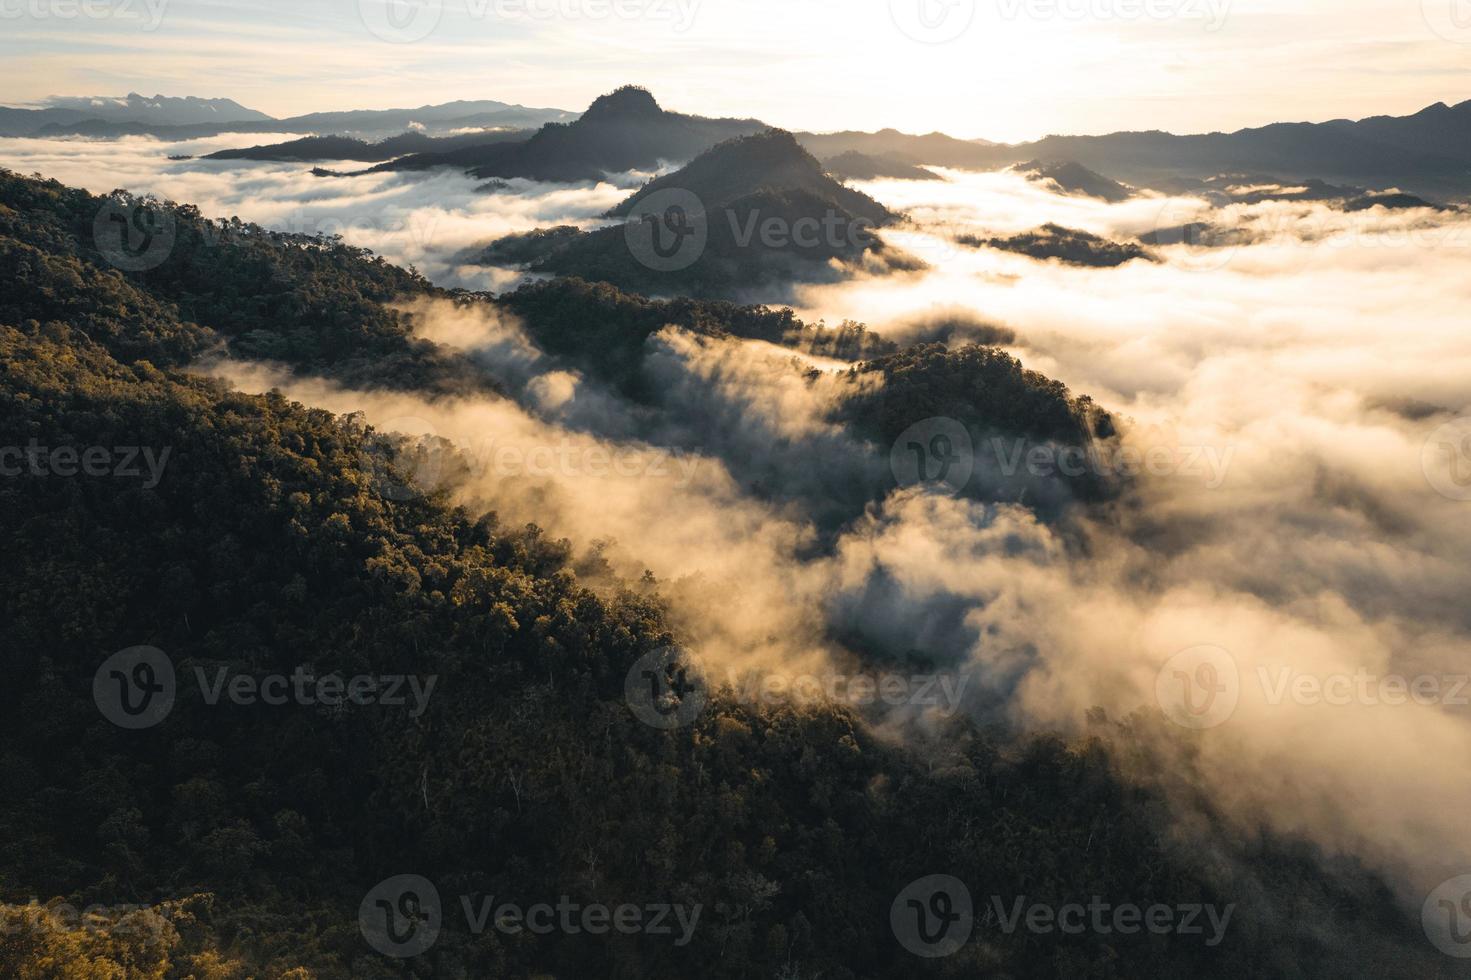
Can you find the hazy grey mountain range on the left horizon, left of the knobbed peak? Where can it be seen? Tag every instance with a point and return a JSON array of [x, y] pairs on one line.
[[195, 118]]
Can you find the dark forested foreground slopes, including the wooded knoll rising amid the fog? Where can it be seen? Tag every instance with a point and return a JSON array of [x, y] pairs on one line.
[[254, 832]]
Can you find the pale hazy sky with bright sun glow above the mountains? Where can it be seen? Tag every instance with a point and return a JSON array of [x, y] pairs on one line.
[[1004, 70]]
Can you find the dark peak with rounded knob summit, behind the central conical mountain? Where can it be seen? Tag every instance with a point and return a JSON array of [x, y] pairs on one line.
[[621, 132]]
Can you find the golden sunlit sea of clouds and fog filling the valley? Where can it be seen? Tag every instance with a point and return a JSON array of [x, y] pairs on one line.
[[1316, 374]]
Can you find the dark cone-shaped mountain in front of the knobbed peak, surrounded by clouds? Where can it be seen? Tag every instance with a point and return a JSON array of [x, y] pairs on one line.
[[747, 217]]
